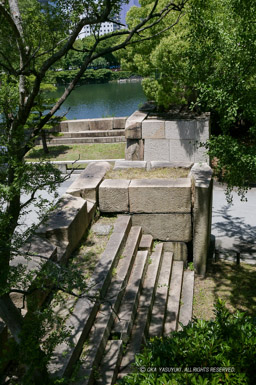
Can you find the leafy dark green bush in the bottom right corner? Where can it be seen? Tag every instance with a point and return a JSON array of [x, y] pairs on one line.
[[227, 341]]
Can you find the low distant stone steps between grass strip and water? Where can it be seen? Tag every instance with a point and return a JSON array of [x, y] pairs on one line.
[[93, 136]]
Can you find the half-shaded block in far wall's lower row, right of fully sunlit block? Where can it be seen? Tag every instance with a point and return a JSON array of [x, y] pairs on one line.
[[182, 151]]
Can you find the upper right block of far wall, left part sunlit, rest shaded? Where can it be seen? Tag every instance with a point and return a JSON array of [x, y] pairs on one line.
[[180, 129]]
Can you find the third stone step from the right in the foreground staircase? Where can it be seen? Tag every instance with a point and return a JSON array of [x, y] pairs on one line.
[[160, 304]]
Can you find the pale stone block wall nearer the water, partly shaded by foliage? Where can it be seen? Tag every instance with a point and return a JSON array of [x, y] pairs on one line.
[[151, 138]]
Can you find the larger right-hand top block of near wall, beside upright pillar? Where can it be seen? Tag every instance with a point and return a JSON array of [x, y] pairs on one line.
[[160, 195]]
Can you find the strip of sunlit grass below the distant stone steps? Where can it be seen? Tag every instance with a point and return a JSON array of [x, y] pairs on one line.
[[79, 152]]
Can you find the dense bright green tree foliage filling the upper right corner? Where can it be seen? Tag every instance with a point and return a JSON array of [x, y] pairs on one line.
[[207, 61]]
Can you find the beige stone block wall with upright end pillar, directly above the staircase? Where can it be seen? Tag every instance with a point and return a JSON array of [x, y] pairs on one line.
[[171, 210]]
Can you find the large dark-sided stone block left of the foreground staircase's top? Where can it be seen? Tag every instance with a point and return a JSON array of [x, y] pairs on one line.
[[67, 224]]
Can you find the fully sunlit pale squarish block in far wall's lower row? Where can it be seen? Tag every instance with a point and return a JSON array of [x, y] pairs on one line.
[[156, 149]]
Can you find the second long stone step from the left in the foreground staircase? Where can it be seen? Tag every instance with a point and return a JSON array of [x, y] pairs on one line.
[[94, 348]]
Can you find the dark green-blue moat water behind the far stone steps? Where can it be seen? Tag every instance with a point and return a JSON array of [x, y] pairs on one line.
[[102, 100]]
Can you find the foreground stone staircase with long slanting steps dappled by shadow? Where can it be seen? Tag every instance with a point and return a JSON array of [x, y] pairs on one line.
[[141, 293]]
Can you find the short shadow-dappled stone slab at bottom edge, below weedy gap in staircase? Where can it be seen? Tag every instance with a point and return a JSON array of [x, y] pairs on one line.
[[110, 363]]
